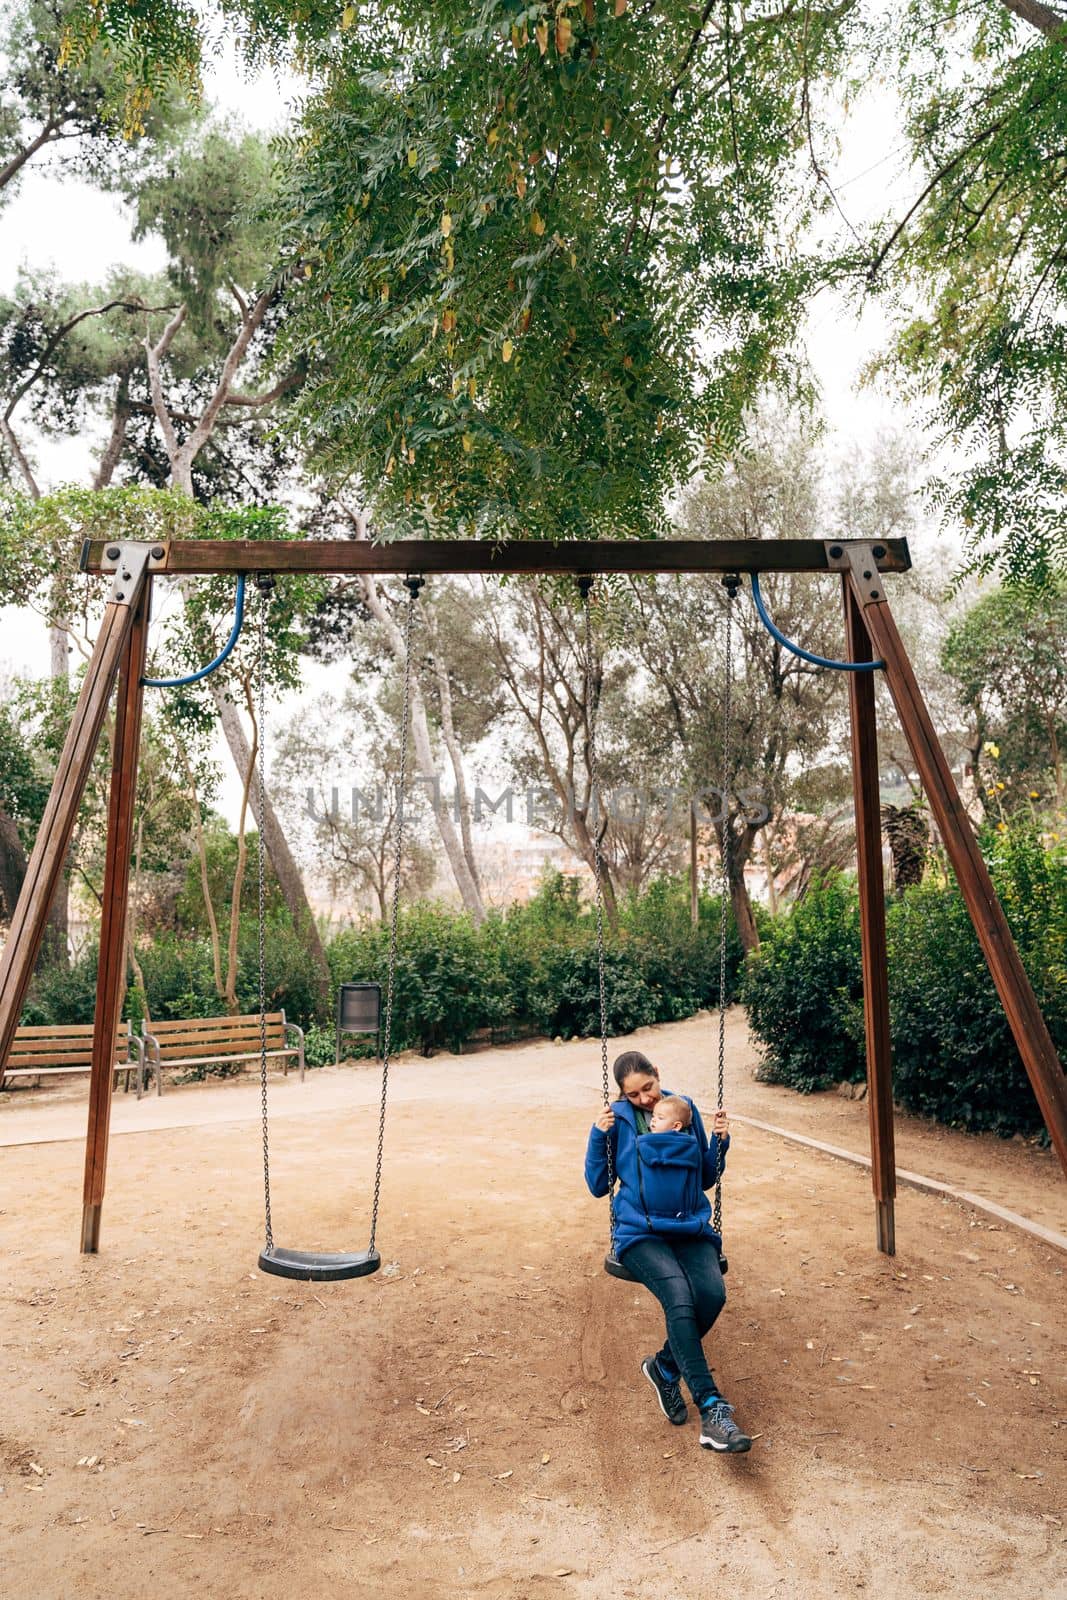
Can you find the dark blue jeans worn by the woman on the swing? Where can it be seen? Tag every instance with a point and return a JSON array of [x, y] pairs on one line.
[[685, 1279]]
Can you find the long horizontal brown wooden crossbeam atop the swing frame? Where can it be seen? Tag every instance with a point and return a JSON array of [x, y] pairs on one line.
[[482, 556]]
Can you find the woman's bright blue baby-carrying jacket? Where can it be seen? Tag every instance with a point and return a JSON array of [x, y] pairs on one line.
[[661, 1177]]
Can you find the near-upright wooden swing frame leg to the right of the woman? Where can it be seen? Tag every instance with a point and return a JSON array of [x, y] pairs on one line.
[[873, 924]]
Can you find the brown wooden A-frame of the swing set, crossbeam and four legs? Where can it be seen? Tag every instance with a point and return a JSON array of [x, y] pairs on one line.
[[873, 642]]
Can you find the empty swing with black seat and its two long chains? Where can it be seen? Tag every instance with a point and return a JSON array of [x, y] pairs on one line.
[[308, 1265]]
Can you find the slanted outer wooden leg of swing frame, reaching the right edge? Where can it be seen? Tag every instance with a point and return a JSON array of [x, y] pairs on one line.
[[1013, 986]]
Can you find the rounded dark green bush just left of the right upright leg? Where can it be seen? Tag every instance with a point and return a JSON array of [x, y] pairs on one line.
[[804, 991]]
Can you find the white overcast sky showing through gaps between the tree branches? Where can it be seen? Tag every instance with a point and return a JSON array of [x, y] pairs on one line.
[[84, 234]]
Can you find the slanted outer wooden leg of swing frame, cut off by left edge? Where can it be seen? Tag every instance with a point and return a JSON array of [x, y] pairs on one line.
[[54, 838]]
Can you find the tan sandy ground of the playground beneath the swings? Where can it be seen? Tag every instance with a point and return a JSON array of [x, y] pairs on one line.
[[473, 1422]]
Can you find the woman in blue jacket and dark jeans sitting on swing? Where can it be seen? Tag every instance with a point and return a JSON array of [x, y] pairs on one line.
[[663, 1234]]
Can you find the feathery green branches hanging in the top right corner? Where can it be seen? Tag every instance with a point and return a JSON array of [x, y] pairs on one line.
[[980, 271]]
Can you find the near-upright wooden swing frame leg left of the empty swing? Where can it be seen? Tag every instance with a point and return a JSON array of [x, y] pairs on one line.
[[111, 975]]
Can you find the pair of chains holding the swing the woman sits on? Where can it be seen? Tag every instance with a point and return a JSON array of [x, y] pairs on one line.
[[732, 583]]
